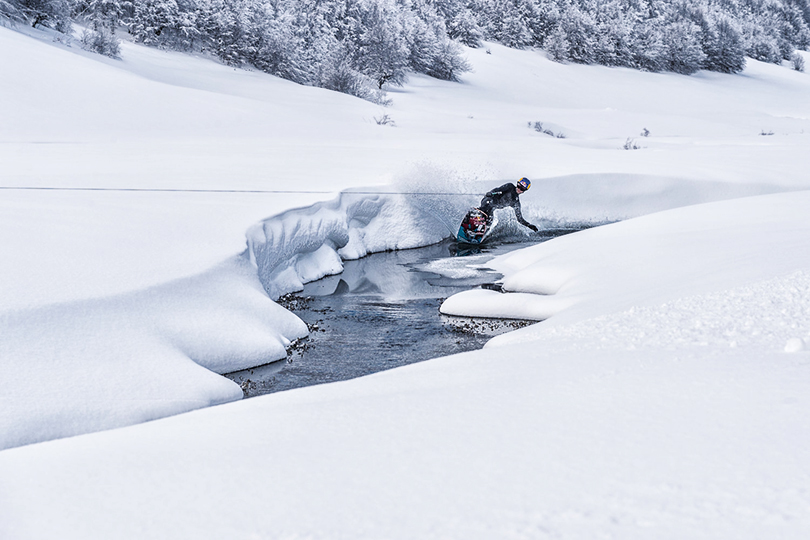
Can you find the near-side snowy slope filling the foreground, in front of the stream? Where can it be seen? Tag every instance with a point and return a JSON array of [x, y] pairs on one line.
[[590, 427]]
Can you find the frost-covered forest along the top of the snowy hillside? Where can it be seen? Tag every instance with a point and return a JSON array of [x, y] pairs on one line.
[[361, 46]]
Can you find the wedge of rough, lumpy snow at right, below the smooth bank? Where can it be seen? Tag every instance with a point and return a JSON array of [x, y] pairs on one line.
[[758, 318]]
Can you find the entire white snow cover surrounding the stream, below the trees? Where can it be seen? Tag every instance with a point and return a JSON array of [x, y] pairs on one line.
[[665, 396]]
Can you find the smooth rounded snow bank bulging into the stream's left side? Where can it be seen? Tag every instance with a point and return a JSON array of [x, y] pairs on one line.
[[78, 367]]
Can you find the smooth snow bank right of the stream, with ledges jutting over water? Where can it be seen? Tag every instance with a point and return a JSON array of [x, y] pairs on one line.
[[647, 260]]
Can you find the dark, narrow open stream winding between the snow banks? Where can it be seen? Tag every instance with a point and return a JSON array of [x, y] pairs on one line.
[[382, 312]]
